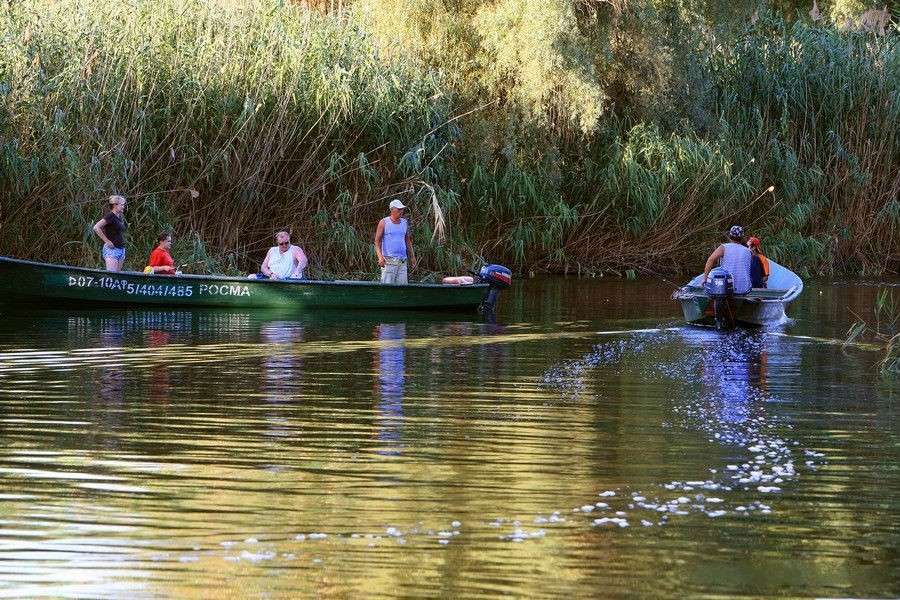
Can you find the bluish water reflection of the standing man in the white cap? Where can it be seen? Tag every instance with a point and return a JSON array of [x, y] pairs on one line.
[[390, 368]]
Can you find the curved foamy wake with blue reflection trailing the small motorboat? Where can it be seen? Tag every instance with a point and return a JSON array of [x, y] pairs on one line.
[[723, 395]]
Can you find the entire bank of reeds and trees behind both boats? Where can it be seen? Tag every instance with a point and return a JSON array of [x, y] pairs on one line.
[[551, 135]]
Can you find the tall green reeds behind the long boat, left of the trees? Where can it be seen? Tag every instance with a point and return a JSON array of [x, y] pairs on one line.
[[225, 122]]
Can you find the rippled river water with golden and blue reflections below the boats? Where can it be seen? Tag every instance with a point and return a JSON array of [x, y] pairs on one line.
[[585, 444]]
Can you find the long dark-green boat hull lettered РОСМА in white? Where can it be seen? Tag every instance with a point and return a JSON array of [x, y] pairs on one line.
[[42, 284]]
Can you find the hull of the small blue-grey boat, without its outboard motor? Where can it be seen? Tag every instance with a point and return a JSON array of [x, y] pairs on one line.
[[758, 307]]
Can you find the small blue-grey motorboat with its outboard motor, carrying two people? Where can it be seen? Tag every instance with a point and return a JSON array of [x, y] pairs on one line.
[[716, 305]]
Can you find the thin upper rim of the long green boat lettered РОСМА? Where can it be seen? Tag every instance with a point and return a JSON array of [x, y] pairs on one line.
[[161, 279]]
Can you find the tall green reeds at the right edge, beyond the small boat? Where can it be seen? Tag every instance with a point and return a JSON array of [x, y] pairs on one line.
[[819, 108]]
